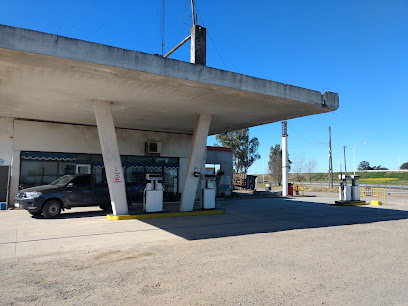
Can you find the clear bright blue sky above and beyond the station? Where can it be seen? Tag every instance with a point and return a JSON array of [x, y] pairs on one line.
[[358, 49]]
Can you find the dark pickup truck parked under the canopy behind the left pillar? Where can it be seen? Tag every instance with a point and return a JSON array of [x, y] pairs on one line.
[[70, 191]]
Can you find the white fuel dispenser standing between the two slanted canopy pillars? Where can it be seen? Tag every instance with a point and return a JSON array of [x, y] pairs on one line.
[[153, 193]]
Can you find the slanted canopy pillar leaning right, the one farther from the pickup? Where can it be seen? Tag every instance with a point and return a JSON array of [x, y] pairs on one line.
[[195, 160]]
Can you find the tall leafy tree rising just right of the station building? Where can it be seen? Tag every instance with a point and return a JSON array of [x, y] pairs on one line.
[[244, 149]]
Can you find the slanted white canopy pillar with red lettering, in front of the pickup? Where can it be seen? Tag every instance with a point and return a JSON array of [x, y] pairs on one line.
[[111, 157]]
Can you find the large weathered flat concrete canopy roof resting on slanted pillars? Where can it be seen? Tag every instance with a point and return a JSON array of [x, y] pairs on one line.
[[52, 78]]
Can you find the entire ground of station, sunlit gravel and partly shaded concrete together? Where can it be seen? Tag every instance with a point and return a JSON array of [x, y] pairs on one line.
[[261, 252]]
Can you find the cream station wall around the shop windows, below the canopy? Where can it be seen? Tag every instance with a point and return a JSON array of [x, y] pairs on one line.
[[53, 137]]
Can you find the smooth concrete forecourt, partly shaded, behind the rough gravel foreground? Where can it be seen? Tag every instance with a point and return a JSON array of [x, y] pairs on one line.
[[22, 235]]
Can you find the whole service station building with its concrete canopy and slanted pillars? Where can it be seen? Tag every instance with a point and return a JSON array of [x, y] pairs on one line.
[[75, 107]]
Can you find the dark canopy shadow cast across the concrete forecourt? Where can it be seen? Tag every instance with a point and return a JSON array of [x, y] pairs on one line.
[[244, 217]]
